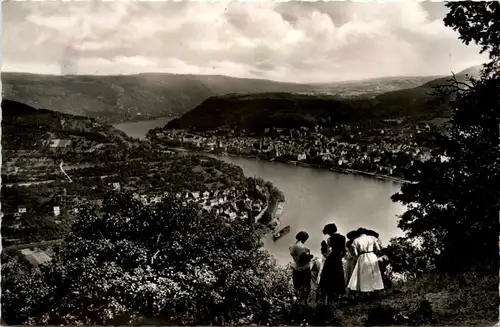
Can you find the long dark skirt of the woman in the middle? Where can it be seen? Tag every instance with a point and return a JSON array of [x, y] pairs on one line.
[[332, 280]]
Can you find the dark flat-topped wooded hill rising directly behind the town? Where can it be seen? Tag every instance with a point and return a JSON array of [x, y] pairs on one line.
[[258, 111]]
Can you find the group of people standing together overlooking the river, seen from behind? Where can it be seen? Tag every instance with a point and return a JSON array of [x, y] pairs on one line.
[[356, 266]]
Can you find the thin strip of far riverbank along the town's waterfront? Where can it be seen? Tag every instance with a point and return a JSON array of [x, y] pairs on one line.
[[348, 171]]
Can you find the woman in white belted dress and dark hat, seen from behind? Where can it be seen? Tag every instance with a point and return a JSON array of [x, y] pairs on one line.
[[366, 276]]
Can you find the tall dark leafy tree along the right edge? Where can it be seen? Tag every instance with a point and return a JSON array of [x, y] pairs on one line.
[[456, 198]]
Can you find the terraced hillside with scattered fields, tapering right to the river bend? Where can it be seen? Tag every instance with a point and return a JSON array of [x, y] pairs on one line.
[[53, 160]]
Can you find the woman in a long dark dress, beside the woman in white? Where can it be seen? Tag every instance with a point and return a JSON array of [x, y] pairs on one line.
[[332, 282]]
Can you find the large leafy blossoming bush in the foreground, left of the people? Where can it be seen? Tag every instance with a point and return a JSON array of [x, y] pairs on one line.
[[166, 260]]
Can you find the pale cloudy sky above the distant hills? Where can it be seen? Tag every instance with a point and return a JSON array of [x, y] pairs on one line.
[[287, 41]]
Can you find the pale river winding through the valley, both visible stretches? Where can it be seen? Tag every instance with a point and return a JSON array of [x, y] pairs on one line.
[[315, 197]]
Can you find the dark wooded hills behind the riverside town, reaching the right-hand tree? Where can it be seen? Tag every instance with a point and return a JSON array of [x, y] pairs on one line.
[[258, 111]]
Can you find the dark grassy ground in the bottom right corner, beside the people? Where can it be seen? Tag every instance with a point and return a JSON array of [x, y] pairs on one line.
[[467, 299]]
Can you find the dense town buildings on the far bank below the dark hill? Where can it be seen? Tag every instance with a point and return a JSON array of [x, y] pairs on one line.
[[384, 151]]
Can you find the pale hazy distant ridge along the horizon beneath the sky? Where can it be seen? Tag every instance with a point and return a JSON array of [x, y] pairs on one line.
[[121, 98]]
